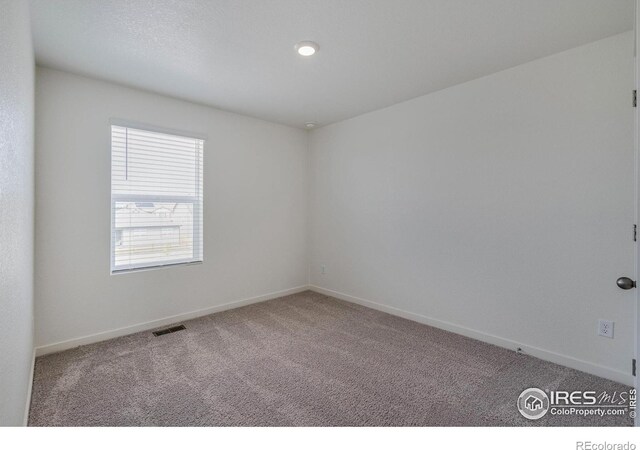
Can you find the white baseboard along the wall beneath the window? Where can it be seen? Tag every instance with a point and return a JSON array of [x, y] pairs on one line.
[[105, 335]]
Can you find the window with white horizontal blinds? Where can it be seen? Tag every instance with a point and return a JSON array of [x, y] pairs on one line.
[[156, 199]]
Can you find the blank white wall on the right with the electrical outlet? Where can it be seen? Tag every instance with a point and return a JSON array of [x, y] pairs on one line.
[[500, 208]]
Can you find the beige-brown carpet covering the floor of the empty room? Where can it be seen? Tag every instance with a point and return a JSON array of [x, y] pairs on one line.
[[304, 359]]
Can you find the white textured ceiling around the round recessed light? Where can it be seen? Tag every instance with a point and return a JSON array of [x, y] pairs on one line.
[[238, 55]]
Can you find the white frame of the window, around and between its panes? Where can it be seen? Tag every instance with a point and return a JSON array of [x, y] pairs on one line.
[[198, 211]]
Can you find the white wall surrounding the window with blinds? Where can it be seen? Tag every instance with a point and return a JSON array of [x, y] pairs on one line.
[[255, 196]]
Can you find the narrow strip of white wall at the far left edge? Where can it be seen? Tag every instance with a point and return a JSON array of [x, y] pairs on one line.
[[16, 210]]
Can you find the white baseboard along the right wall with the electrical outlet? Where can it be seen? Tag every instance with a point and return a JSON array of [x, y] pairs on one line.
[[564, 360]]
